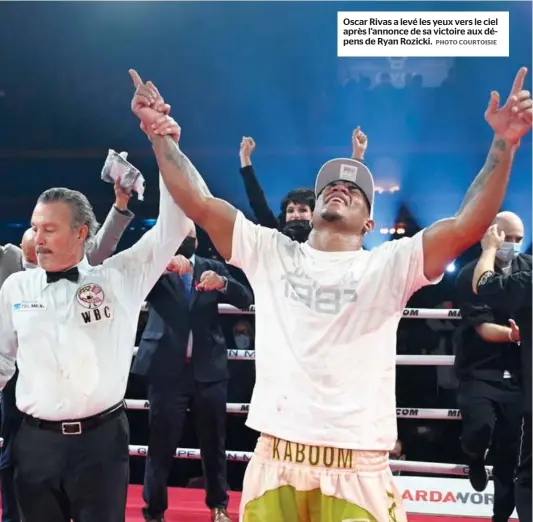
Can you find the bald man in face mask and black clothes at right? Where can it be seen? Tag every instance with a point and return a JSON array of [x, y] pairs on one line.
[[488, 368]]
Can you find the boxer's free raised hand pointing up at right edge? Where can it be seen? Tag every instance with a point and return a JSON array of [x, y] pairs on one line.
[[513, 120]]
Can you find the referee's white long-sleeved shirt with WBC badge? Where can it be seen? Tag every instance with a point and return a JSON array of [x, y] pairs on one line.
[[73, 342]]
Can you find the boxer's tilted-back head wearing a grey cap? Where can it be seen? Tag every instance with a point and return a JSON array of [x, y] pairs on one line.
[[345, 199]]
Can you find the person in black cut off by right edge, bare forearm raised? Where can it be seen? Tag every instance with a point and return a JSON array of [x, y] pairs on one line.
[[513, 294]]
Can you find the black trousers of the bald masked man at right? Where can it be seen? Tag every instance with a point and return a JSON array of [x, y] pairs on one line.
[[491, 418]]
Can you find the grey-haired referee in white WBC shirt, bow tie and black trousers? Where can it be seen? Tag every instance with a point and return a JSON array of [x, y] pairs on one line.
[[71, 329]]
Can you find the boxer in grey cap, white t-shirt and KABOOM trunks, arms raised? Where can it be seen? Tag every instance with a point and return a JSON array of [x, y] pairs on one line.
[[327, 312]]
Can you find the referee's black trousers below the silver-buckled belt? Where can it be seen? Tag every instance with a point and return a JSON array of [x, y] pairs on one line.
[[83, 477]]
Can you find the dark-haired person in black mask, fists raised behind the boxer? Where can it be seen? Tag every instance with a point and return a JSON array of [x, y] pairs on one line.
[[297, 206]]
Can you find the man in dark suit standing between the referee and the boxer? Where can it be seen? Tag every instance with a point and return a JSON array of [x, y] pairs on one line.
[[183, 356]]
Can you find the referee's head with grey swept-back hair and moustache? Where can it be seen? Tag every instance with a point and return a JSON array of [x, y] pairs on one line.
[[63, 222]]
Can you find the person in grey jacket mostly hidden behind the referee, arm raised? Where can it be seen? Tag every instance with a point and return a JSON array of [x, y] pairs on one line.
[[14, 259]]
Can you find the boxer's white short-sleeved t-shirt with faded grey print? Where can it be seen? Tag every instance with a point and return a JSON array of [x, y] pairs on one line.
[[326, 336]]
